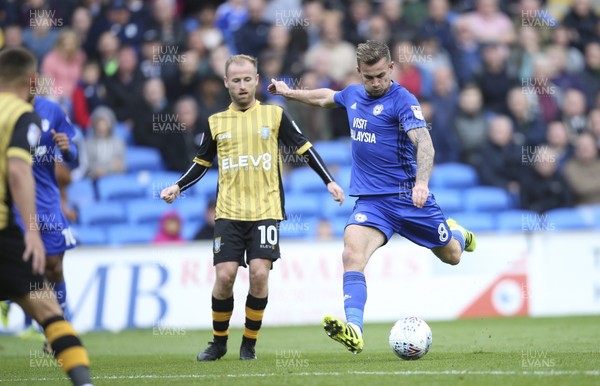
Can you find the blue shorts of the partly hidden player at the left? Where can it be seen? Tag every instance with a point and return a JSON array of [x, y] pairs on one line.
[[54, 230]]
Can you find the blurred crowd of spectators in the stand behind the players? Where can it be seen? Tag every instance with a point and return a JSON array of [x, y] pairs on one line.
[[510, 87]]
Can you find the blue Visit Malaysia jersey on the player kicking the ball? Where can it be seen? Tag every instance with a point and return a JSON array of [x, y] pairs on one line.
[[384, 158]]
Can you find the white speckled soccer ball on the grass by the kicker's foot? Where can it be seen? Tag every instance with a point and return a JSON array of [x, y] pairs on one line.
[[410, 338]]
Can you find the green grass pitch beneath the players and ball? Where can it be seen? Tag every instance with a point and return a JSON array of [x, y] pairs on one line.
[[511, 351]]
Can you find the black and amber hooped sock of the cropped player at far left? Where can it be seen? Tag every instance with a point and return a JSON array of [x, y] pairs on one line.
[[68, 350]]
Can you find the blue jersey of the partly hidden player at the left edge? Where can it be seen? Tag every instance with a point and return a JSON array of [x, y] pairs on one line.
[[47, 153]]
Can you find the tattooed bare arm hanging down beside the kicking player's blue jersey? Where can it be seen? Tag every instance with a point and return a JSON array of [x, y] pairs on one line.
[[422, 140]]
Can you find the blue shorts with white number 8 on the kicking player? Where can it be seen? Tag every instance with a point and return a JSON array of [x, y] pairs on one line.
[[397, 214]]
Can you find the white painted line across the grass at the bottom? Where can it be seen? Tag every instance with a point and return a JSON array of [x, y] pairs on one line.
[[594, 373]]
